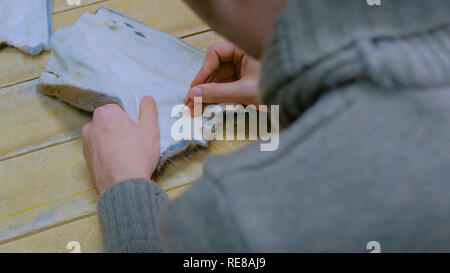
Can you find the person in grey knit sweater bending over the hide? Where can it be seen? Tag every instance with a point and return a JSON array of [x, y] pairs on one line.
[[364, 95]]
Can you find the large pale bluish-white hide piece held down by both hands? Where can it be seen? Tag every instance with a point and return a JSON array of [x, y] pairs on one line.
[[109, 58]]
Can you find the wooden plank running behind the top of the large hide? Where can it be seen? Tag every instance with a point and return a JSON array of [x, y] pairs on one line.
[[171, 16]]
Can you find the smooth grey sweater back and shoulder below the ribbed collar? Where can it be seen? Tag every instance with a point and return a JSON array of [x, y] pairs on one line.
[[345, 169]]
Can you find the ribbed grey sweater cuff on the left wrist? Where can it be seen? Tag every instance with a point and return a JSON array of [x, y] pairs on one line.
[[128, 213]]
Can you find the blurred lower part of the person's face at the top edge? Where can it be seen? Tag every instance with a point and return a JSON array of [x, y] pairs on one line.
[[247, 23]]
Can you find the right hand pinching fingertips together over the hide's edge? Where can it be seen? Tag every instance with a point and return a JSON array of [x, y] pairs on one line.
[[227, 75]]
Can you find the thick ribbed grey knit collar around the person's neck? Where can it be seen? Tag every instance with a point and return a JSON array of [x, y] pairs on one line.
[[321, 44]]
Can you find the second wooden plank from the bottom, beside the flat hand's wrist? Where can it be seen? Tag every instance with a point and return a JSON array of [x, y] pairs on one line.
[[52, 186]]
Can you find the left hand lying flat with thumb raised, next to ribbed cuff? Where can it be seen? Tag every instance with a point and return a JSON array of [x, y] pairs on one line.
[[117, 149]]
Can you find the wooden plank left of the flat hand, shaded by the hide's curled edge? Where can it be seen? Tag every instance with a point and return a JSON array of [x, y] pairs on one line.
[[31, 120]]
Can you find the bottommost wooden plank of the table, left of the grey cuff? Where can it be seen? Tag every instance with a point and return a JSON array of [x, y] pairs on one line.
[[86, 231]]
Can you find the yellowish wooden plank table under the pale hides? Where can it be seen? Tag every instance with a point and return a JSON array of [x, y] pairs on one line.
[[46, 198]]
